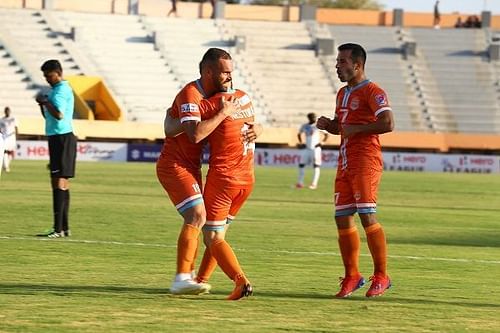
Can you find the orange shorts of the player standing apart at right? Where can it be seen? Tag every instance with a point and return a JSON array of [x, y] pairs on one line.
[[356, 191]]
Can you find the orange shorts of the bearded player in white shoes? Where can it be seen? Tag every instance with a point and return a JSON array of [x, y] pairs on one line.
[[182, 185]]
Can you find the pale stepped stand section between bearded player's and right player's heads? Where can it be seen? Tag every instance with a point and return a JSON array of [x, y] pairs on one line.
[[279, 65]]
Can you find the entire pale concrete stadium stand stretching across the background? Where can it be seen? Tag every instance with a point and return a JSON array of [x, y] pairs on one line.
[[144, 60]]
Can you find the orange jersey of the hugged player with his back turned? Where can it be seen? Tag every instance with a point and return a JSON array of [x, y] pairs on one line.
[[231, 160]]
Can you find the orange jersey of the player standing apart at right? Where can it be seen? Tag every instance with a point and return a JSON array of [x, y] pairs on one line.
[[356, 105]]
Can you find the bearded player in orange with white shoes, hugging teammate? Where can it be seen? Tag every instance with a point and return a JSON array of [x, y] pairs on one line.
[[179, 165]]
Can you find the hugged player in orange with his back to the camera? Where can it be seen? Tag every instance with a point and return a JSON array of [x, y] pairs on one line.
[[230, 181]]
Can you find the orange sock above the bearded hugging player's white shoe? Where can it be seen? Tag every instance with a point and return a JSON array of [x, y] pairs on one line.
[[186, 248]]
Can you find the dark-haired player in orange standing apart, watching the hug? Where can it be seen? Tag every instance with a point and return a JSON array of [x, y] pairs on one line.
[[361, 114]]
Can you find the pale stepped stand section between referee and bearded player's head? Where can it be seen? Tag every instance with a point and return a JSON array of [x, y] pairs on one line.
[[124, 55]]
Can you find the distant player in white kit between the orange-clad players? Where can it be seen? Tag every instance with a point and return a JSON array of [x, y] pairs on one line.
[[310, 150]]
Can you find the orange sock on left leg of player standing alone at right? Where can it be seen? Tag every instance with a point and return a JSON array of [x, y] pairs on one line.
[[349, 244]]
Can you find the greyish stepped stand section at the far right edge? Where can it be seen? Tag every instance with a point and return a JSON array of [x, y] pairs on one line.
[[463, 97]]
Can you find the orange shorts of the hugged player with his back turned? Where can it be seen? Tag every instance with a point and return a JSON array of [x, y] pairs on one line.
[[223, 203]]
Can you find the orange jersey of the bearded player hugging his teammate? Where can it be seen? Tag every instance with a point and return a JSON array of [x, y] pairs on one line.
[[179, 150]]
